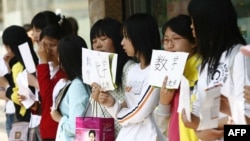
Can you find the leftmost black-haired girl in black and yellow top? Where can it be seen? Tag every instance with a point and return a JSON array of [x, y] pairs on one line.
[[13, 36]]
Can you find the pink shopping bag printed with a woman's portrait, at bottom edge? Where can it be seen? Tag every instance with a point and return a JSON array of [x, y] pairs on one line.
[[87, 128]]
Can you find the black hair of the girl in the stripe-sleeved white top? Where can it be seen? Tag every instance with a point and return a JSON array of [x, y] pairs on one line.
[[142, 30]]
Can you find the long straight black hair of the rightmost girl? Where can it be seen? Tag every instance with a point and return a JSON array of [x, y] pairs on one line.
[[216, 29]]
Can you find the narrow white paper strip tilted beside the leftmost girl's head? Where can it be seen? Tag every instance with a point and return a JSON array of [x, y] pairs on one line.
[[27, 57]]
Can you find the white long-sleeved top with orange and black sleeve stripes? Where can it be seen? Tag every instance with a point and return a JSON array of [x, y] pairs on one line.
[[137, 119]]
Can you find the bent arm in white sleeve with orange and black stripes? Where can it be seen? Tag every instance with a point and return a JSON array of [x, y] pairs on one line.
[[149, 98]]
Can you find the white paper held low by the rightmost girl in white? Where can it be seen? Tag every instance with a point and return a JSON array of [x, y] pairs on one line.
[[210, 108]]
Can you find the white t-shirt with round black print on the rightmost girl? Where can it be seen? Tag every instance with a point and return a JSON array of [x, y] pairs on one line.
[[232, 74]]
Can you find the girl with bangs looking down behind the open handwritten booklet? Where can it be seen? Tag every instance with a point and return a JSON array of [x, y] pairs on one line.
[[105, 36]]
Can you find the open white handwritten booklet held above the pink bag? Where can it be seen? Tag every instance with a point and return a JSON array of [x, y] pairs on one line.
[[99, 67]]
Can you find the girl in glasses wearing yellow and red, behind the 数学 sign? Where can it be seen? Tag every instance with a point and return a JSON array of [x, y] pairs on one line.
[[177, 36]]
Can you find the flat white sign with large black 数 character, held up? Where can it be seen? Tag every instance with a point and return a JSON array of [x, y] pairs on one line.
[[165, 63]]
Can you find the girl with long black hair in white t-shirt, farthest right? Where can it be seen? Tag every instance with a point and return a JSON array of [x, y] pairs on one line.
[[218, 41]]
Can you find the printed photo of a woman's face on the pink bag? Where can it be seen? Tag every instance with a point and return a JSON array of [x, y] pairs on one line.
[[87, 134]]
